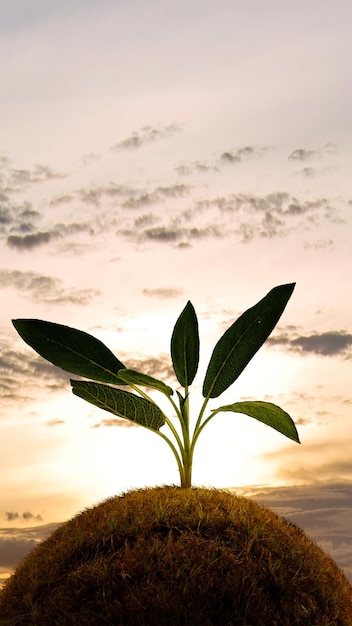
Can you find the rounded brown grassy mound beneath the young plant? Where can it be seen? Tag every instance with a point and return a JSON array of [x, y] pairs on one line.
[[179, 557]]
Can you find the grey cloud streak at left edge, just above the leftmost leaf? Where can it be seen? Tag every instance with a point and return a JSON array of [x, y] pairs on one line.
[[43, 287]]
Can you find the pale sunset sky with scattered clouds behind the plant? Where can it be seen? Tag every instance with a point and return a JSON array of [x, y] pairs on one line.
[[155, 153]]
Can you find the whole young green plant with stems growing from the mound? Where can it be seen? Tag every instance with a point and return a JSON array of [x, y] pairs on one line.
[[79, 353]]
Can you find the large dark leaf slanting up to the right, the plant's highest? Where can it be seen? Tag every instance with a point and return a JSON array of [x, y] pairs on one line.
[[243, 339]]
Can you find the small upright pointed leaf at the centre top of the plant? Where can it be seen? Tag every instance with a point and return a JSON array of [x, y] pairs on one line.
[[185, 346]]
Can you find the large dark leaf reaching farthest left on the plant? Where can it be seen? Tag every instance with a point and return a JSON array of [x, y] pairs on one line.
[[73, 350]]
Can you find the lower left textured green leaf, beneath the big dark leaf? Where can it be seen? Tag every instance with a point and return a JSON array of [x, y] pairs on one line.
[[122, 403]]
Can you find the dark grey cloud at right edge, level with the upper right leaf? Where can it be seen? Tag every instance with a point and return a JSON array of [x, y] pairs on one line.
[[330, 343]]
